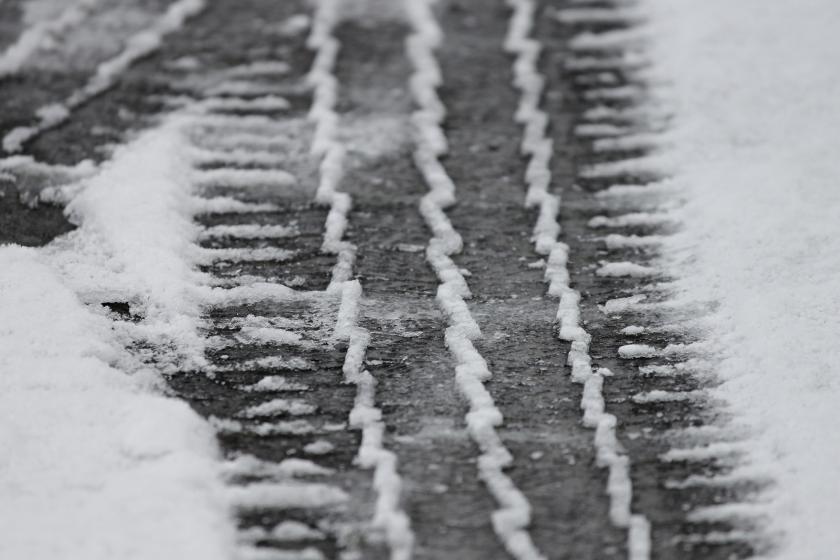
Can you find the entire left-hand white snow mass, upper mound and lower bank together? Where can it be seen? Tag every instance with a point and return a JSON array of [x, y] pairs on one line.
[[97, 459]]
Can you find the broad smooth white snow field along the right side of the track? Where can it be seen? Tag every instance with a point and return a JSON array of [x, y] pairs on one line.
[[755, 85]]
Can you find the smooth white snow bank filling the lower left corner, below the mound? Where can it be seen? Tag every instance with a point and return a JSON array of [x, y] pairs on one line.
[[93, 464]]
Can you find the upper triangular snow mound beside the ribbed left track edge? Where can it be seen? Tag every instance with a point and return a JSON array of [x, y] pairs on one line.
[[135, 242]]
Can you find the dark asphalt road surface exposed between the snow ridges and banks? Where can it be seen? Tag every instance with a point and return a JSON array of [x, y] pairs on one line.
[[209, 62]]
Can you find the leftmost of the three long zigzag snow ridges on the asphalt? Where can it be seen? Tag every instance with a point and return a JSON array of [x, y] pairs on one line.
[[388, 514]]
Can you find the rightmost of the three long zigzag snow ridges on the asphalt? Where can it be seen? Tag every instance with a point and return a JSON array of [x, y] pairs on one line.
[[538, 147]]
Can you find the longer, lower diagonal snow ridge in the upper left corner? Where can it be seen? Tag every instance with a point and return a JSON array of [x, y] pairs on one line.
[[107, 73]]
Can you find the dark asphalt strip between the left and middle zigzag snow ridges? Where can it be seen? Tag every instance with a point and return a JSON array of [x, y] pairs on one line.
[[449, 507]]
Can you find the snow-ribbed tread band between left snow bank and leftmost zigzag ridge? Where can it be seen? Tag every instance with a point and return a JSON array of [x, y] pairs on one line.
[[271, 386]]
